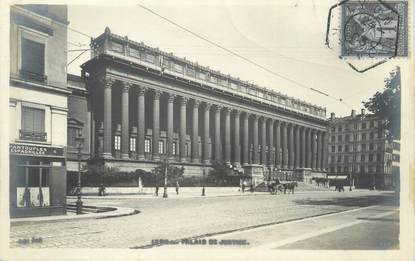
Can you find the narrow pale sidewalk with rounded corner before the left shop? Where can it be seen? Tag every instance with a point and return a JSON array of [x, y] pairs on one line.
[[117, 212]]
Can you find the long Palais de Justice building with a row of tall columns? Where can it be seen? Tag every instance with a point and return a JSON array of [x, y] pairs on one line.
[[147, 105]]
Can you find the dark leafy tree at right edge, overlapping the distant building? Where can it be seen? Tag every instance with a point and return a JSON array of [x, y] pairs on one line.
[[387, 104]]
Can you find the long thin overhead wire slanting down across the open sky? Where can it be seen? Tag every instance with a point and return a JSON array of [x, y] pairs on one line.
[[240, 56]]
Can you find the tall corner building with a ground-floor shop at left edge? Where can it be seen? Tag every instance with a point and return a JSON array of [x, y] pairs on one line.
[[38, 109]]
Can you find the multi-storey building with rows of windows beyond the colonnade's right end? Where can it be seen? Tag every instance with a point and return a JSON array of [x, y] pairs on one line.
[[358, 148]]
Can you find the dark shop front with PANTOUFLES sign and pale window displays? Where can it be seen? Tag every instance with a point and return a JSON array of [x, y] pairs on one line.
[[37, 180]]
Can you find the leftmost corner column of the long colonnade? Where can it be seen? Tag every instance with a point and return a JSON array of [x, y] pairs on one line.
[[108, 83]]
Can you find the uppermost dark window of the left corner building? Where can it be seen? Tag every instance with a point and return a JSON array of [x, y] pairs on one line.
[[33, 59]]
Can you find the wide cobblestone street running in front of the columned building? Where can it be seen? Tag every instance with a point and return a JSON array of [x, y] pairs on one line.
[[177, 218]]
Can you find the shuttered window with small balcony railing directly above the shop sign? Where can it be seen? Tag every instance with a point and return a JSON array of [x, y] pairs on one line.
[[33, 124]]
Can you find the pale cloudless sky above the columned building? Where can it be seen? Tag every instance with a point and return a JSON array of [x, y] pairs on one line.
[[287, 37]]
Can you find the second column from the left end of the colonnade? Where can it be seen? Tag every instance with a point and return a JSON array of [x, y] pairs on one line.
[[125, 150]]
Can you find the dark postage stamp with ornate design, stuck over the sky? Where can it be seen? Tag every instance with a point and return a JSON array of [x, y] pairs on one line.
[[374, 29]]
